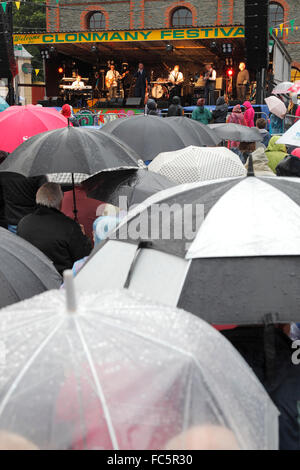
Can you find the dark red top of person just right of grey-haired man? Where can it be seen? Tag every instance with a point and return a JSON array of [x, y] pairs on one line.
[[86, 208]]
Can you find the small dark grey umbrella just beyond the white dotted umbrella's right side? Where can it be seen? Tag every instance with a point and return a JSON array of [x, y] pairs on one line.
[[236, 132]]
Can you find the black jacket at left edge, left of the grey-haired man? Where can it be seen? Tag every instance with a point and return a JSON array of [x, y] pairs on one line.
[[19, 195]]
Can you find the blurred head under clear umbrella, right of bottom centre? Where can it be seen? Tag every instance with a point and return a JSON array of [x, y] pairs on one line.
[[206, 437]]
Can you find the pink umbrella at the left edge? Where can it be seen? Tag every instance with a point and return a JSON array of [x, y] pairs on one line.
[[19, 123]]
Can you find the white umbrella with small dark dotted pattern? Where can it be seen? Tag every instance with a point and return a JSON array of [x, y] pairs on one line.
[[198, 164]]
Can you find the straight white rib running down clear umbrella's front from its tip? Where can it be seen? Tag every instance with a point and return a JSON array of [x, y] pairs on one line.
[[98, 387]]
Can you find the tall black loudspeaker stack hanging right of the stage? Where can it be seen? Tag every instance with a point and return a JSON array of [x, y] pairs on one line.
[[257, 34]]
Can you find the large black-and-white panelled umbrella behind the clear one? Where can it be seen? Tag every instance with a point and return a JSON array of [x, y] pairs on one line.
[[227, 250]]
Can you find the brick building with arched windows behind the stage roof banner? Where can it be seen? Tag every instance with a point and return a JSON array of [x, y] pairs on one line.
[[84, 15]]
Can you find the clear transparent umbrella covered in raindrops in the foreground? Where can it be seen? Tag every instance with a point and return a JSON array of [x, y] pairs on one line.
[[119, 372]]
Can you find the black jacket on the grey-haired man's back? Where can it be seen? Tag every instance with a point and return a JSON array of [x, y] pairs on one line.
[[56, 235]]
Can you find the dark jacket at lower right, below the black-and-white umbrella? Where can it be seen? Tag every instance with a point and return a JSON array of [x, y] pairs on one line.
[[284, 384]]
